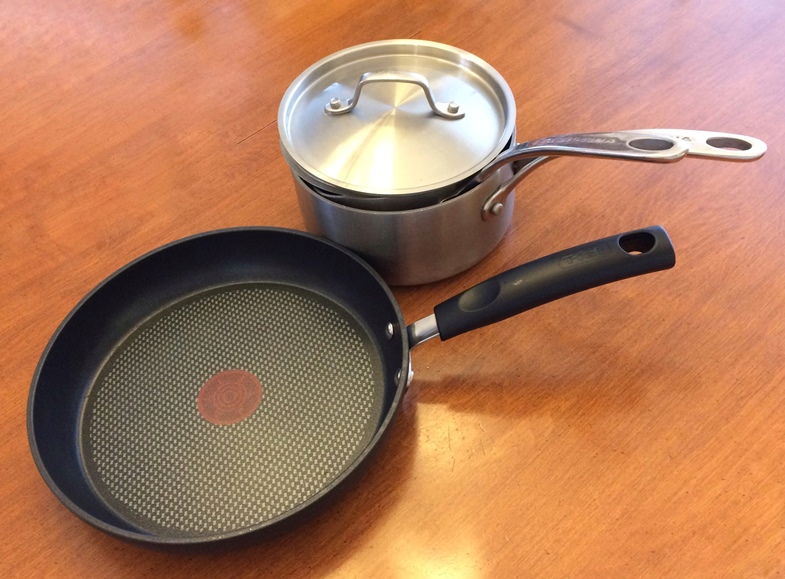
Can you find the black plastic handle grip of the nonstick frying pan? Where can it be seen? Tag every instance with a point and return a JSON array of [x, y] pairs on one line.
[[556, 276]]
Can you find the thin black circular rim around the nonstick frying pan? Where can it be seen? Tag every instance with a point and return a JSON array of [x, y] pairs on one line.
[[308, 505]]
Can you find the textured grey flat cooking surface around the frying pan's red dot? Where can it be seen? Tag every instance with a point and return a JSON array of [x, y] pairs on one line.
[[162, 464]]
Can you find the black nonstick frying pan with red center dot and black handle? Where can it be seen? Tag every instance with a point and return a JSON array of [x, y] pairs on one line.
[[224, 386]]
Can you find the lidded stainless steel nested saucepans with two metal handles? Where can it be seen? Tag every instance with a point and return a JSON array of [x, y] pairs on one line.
[[405, 151]]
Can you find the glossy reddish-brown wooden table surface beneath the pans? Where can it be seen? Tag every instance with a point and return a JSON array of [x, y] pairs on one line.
[[636, 430]]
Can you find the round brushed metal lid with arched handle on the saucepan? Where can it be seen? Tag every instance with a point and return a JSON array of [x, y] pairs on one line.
[[360, 122]]
